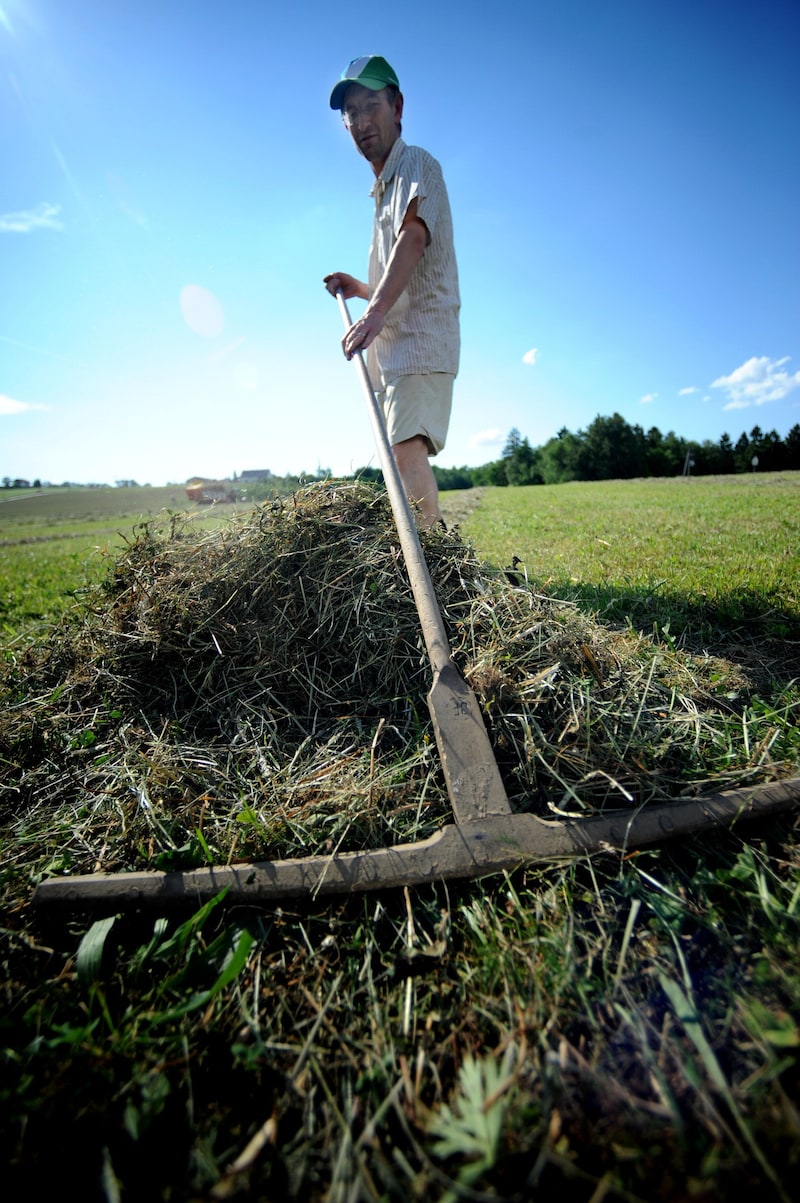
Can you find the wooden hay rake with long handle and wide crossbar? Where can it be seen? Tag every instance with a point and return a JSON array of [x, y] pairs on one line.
[[487, 837]]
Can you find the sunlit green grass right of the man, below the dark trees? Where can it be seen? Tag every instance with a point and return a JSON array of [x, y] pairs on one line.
[[698, 554]]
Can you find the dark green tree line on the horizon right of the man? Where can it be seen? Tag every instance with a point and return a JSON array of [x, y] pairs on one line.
[[612, 449]]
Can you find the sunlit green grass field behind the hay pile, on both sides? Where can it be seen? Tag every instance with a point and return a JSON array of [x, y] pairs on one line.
[[689, 554]]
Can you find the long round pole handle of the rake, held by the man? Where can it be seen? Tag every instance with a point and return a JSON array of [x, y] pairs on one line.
[[436, 637]]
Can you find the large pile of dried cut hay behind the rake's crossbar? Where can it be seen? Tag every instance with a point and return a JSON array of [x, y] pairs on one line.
[[259, 692]]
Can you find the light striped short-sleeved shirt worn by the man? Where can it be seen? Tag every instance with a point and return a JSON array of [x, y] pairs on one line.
[[422, 331]]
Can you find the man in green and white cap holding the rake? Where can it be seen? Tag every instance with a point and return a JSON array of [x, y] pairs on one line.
[[411, 325]]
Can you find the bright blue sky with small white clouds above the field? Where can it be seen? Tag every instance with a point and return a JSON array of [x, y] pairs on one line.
[[625, 180]]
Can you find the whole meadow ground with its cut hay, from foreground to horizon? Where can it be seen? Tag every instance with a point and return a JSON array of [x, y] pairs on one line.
[[608, 1028]]
